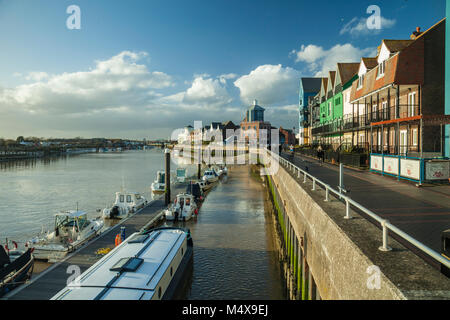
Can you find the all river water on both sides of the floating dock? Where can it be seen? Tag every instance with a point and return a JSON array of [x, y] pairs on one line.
[[234, 249]]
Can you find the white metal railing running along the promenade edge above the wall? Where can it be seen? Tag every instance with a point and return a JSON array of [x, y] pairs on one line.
[[385, 224]]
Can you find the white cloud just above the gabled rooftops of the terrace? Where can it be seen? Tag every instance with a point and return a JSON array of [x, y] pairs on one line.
[[320, 61]]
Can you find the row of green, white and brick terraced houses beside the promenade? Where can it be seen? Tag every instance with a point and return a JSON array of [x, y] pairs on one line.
[[390, 107]]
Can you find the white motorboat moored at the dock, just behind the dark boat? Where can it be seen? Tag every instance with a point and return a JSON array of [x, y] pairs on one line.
[[72, 230]]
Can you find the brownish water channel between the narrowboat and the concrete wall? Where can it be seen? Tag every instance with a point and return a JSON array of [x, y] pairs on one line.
[[234, 250]]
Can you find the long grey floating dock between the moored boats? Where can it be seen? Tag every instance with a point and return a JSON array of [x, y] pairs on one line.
[[48, 283]]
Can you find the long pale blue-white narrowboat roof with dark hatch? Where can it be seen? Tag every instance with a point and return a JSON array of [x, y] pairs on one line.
[[131, 271]]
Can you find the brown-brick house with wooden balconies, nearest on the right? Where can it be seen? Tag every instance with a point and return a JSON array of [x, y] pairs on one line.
[[397, 96]]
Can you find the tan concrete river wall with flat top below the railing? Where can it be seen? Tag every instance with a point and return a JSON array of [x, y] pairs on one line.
[[339, 253]]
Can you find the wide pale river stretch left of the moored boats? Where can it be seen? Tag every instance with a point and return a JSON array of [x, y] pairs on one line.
[[32, 192]]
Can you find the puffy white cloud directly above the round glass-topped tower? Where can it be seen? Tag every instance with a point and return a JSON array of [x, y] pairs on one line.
[[269, 84]]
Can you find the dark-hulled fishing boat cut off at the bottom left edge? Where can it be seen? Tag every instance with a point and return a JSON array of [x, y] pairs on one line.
[[16, 267]]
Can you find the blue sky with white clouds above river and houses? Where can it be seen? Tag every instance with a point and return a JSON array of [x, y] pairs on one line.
[[143, 68]]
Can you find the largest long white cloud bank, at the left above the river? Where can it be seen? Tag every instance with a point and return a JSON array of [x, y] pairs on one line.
[[116, 81]]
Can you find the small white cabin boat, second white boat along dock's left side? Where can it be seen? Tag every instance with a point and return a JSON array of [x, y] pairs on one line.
[[126, 204]]
